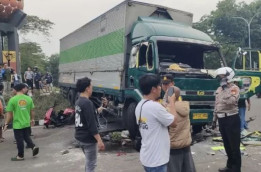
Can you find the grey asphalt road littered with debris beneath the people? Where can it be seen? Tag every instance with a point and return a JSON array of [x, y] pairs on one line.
[[116, 158]]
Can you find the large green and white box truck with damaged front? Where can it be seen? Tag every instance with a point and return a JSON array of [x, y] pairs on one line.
[[132, 39]]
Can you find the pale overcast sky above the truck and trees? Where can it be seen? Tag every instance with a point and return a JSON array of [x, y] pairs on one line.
[[68, 15]]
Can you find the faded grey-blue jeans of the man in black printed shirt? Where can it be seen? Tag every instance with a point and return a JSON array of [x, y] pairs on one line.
[[90, 151]]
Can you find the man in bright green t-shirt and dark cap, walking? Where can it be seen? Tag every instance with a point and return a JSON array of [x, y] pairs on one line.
[[20, 109]]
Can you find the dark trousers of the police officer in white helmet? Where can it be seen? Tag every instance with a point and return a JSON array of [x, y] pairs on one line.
[[230, 131]]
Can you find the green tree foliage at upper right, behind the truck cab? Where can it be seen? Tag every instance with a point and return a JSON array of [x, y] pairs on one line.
[[232, 32]]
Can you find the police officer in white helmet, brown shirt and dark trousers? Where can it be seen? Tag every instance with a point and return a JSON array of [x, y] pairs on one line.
[[226, 111]]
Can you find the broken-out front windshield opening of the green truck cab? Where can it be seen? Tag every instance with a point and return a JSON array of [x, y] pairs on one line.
[[188, 55]]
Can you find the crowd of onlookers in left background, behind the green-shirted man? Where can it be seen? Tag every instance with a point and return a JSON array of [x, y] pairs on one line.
[[34, 79]]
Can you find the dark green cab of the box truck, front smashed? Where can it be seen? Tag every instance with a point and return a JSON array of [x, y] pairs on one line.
[[162, 46]]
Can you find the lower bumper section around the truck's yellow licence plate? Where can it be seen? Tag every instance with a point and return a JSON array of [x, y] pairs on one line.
[[201, 116]]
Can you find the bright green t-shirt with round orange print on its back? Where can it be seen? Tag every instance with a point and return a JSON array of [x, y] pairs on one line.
[[21, 106]]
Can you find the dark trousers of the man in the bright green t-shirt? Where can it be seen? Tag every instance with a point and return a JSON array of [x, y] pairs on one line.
[[22, 135]]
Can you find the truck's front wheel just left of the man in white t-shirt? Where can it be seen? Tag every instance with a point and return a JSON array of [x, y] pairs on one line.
[[131, 120]]
